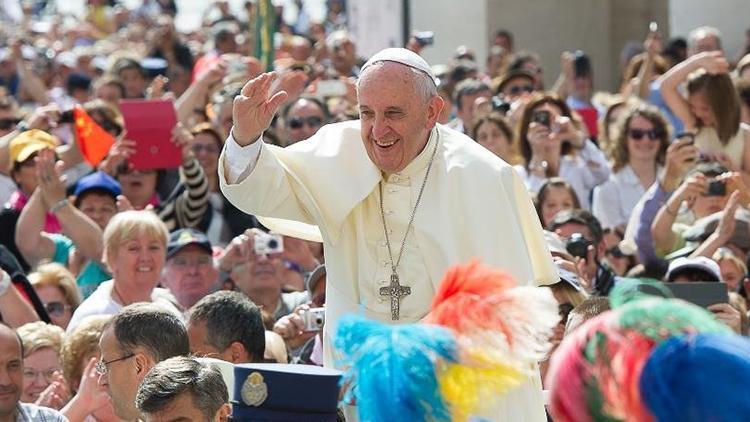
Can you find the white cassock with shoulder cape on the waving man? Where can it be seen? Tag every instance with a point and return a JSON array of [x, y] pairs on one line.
[[474, 205]]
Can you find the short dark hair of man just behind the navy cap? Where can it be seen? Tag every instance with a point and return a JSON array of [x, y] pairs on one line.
[[230, 317]]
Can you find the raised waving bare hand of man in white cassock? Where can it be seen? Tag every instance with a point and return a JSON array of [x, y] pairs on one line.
[[254, 108]]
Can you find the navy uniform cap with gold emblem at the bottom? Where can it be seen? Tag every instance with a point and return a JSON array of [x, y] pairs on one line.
[[283, 392]]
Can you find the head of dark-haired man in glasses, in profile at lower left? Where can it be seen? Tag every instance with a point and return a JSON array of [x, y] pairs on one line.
[[132, 343]]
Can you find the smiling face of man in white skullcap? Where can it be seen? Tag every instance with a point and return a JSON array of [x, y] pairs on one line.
[[395, 118]]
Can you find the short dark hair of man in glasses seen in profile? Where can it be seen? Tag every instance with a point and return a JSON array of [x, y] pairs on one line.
[[151, 327]]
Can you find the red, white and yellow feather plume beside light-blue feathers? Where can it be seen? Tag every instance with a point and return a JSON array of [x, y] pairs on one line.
[[502, 331]]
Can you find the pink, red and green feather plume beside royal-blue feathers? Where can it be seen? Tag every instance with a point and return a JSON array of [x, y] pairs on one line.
[[595, 374]]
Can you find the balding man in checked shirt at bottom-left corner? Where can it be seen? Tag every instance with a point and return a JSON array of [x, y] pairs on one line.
[[11, 384]]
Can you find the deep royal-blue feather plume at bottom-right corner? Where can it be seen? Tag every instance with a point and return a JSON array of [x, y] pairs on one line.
[[699, 377]]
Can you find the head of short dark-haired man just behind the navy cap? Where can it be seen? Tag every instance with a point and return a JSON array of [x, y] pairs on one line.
[[228, 326]]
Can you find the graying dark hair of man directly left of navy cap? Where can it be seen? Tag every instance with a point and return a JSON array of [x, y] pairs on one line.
[[179, 375]]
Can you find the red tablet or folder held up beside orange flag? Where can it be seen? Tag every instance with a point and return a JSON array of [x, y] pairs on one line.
[[149, 123]]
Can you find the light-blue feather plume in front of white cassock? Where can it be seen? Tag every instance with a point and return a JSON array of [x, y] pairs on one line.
[[392, 370]]
